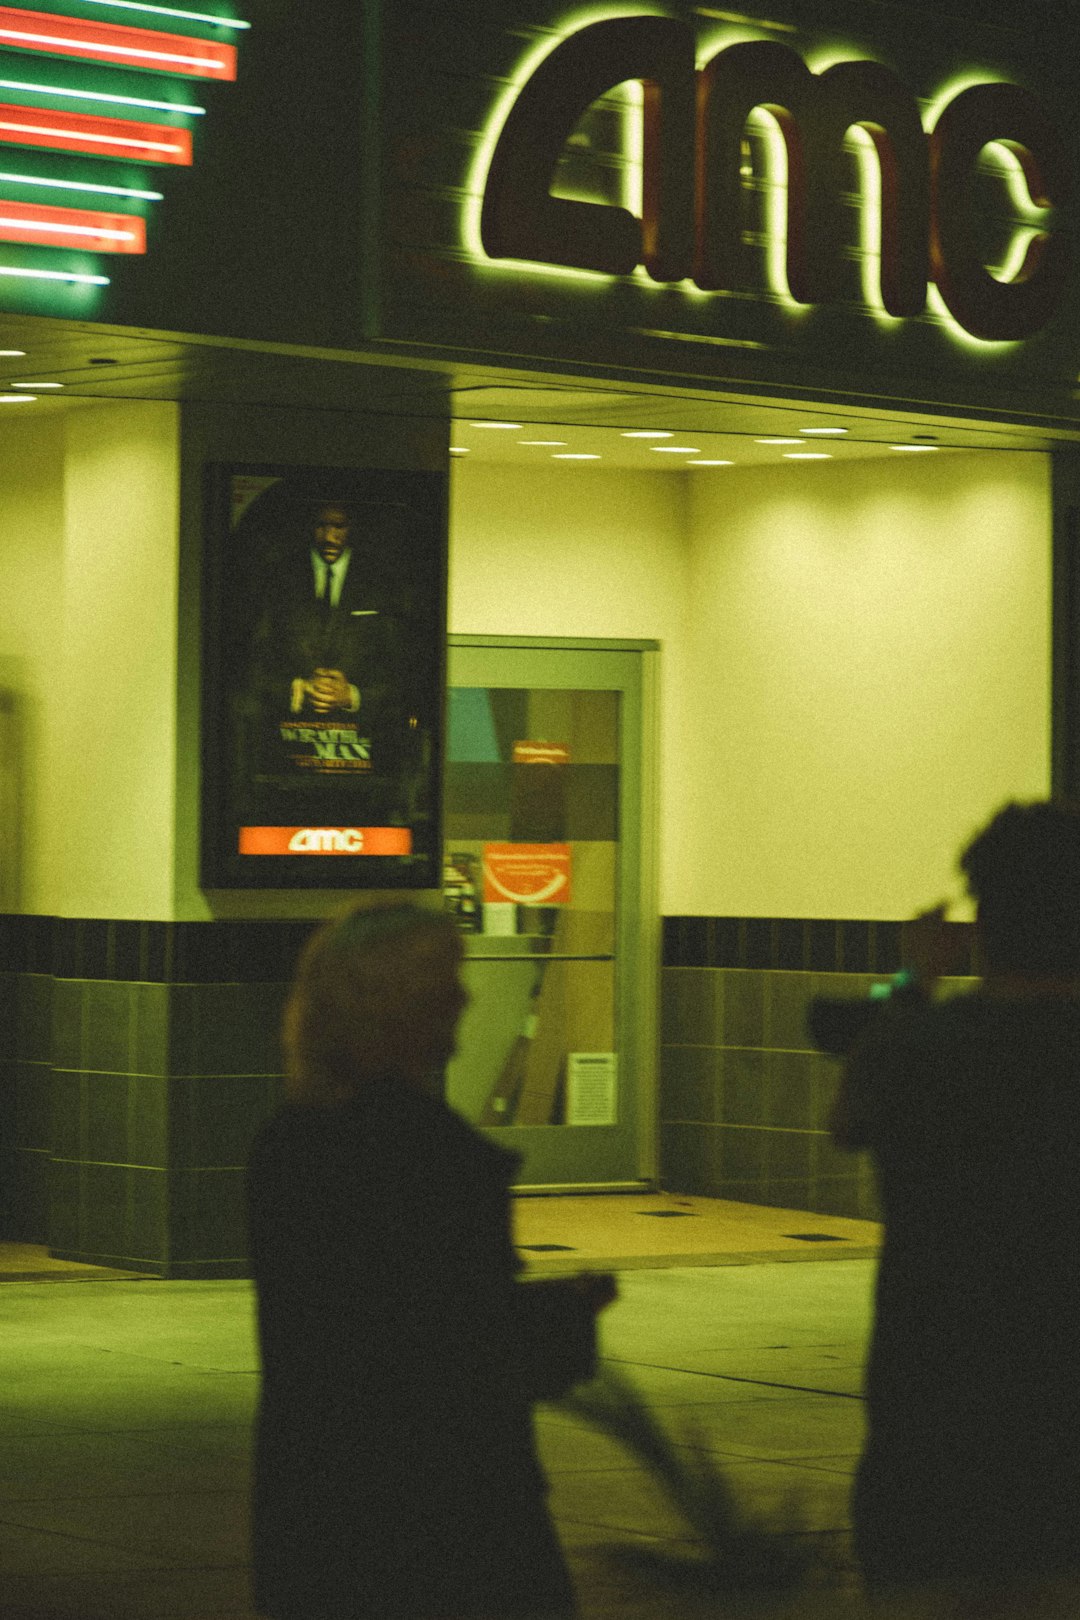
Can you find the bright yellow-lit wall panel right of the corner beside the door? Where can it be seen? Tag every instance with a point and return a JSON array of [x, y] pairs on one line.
[[872, 667]]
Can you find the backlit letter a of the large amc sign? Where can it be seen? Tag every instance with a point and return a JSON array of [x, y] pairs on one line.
[[521, 218]]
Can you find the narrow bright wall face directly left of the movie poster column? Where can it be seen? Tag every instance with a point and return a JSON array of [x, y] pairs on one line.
[[122, 506]]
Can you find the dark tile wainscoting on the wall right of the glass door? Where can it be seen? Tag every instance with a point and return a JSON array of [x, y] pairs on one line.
[[744, 1094]]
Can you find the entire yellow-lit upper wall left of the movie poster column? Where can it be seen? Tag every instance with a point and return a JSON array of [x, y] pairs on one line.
[[88, 629]]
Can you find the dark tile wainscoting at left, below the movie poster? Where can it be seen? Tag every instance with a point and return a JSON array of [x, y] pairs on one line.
[[137, 1062]]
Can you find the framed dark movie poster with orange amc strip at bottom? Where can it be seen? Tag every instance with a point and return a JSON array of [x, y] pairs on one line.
[[325, 620]]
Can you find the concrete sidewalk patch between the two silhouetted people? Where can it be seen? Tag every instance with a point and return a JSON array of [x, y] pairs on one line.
[[762, 1368]]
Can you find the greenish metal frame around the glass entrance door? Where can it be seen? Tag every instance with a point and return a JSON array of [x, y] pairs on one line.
[[639, 934]]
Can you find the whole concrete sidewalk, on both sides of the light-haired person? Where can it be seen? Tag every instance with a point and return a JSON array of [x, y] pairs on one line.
[[125, 1413]]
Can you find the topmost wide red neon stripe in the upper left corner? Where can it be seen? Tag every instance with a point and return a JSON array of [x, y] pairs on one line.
[[130, 48]]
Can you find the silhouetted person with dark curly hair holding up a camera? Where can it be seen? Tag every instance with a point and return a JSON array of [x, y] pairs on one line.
[[971, 1109]]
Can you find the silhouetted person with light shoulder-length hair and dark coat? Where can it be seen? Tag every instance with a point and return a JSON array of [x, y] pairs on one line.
[[396, 1472]]
